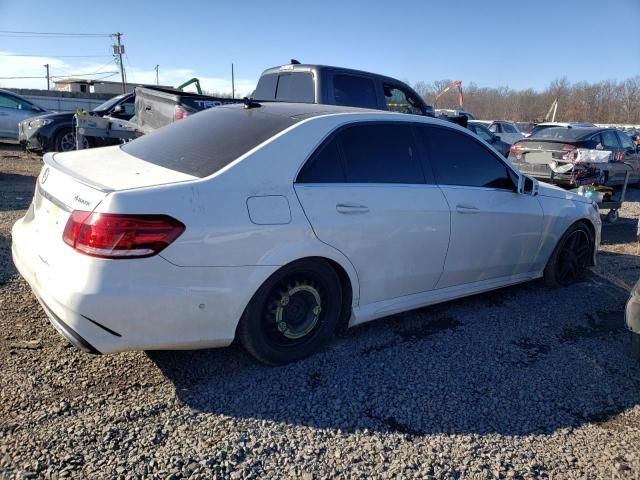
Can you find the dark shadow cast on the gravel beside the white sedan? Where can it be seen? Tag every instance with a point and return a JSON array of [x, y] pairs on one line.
[[517, 361]]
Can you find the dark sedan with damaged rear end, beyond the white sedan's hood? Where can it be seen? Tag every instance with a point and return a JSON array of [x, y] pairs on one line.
[[578, 156]]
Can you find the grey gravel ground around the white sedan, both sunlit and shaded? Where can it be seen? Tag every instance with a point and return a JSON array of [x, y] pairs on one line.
[[525, 382]]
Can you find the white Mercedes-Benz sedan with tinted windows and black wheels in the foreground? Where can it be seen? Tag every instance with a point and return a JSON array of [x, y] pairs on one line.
[[277, 223]]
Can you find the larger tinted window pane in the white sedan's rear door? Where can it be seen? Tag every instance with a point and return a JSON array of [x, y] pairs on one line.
[[381, 153]]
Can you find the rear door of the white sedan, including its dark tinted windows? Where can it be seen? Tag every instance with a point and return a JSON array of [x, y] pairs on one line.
[[366, 194]]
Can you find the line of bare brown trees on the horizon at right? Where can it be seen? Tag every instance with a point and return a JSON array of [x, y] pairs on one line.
[[608, 101]]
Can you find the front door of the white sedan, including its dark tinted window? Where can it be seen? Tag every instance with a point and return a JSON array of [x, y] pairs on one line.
[[495, 232]]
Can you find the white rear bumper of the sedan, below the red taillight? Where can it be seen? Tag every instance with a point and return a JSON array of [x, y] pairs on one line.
[[105, 306]]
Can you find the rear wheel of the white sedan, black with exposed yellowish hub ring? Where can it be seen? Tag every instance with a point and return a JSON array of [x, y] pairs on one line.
[[293, 313]]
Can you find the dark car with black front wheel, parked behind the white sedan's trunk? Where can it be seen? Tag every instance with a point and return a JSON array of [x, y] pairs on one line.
[[55, 132]]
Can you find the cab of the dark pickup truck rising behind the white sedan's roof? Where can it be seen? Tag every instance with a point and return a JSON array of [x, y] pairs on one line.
[[338, 86]]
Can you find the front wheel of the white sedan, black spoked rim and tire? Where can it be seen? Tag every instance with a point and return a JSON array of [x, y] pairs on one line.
[[571, 257]]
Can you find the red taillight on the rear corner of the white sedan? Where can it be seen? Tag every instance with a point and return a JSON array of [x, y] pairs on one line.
[[109, 235]]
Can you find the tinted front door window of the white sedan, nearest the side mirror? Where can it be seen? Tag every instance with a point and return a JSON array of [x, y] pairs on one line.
[[458, 159]]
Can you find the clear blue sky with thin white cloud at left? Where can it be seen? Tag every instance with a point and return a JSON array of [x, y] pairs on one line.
[[492, 43]]
